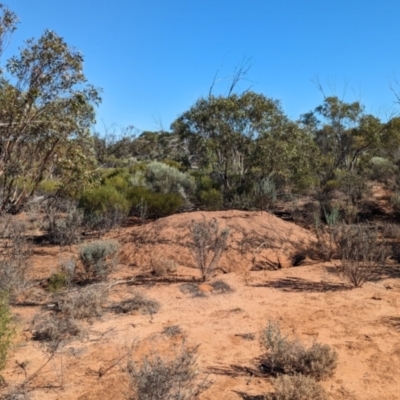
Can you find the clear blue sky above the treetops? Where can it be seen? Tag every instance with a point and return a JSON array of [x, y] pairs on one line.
[[155, 58]]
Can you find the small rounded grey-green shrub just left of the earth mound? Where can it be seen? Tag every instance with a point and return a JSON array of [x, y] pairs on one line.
[[98, 258]]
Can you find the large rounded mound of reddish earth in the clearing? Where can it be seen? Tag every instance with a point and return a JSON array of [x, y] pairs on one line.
[[257, 241]]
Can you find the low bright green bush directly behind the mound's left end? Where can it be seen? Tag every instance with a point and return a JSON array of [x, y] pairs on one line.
[[157, 204]]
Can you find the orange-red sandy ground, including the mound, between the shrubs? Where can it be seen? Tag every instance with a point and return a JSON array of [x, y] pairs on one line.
[[310, 302]]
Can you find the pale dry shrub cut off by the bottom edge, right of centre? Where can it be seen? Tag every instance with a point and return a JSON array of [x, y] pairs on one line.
[[297, 387]]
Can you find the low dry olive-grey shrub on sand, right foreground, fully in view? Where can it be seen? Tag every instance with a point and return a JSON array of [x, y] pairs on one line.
[[291, 357]]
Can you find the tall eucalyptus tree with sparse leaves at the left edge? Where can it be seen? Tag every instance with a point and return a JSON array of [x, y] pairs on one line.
[[46, 111]]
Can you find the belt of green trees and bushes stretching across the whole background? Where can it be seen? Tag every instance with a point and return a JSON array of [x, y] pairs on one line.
[[239, 150]]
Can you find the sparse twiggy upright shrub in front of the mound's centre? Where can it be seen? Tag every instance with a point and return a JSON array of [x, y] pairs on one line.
[[208, 244]]
